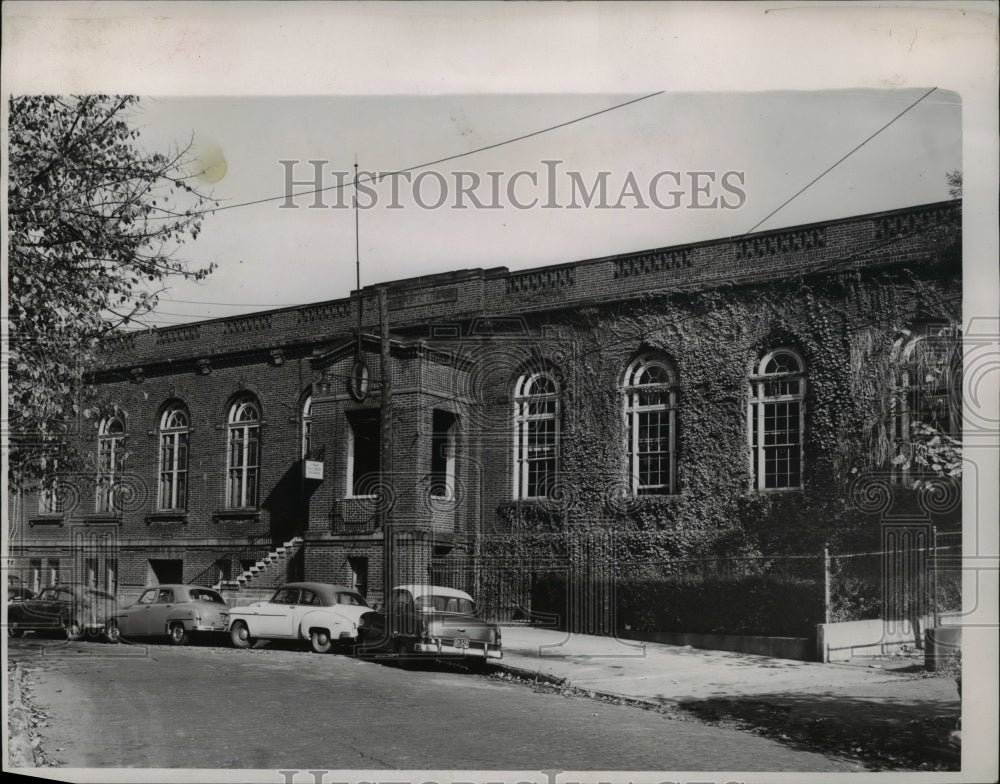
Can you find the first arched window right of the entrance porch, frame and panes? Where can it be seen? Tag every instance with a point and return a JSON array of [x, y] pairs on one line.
[[536, 435]]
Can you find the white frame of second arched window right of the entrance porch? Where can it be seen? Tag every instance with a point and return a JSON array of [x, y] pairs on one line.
[[633, 387]]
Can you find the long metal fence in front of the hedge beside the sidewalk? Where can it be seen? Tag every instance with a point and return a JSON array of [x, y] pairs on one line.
[[910, 577]]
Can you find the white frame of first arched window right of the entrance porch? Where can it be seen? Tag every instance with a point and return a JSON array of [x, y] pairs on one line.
[[524, 419]]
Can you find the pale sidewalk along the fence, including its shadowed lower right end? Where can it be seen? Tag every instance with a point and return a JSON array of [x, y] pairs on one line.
[[883, 708]]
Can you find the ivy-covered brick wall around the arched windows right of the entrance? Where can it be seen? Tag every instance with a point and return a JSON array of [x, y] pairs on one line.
[[845, 326]]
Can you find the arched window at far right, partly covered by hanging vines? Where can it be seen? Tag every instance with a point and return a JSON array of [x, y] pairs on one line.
[[927, 404]]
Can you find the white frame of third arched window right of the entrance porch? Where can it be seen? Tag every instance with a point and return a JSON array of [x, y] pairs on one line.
[[756, 407]]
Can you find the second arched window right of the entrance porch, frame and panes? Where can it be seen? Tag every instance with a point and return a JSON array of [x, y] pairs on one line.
[[650, 390]]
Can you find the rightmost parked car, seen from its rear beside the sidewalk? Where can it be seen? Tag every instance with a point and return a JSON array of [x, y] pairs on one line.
[[436, 622]]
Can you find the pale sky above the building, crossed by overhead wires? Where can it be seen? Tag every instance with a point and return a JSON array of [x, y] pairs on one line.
[[767, 145]]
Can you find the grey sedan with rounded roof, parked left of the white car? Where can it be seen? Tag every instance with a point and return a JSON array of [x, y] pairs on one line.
[[177, 612]]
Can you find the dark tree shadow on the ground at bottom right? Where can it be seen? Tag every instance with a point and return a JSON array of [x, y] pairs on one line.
[[901, 735]]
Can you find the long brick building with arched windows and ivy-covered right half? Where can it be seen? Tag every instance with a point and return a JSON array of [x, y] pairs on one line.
[[696, 399]]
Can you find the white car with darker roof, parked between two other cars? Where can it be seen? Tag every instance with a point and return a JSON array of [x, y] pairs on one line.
[[325, 615]]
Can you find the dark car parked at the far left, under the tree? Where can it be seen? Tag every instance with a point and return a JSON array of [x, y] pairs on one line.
[[73, 609]]
